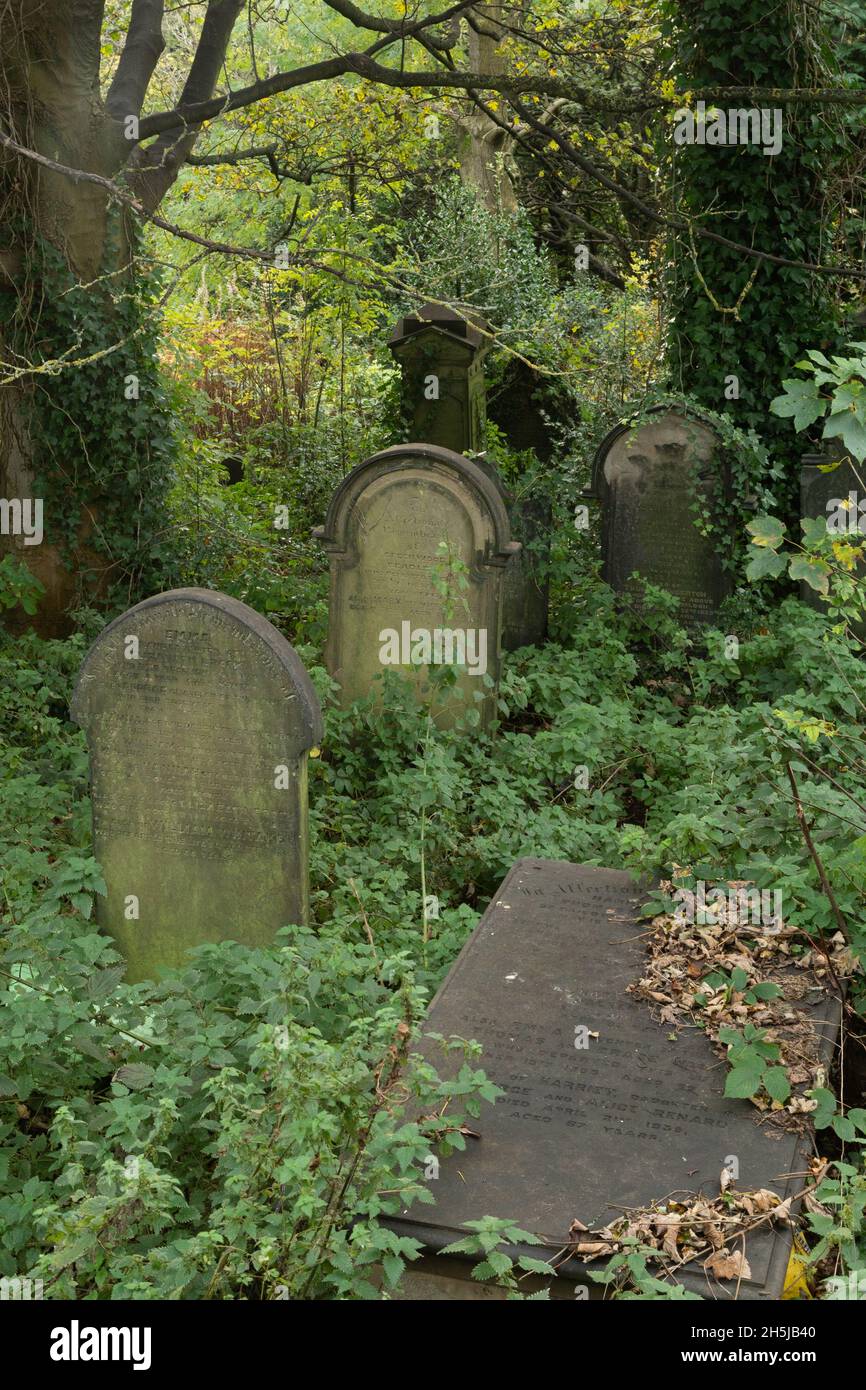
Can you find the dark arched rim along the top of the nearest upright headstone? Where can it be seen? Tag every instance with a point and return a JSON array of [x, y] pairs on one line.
[[280, 657]]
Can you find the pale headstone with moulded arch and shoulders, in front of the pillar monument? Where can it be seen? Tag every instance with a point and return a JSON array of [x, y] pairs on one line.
[[383, 534]]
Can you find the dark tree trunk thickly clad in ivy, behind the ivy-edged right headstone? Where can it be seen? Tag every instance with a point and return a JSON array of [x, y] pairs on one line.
[[737, 325]]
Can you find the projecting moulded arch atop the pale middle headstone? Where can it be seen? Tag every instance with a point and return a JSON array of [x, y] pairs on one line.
[[423, 457]]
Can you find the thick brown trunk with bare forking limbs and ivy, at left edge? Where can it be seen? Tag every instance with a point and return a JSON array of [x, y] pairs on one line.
[[84, 426]]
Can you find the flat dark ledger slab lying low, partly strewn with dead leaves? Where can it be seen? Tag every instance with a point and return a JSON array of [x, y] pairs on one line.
[[583, 1134]]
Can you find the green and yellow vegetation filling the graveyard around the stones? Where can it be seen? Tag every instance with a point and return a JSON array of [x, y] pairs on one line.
[[238, 1129]]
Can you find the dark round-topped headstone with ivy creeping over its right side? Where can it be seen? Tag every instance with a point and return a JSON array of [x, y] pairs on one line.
[[644, 480]]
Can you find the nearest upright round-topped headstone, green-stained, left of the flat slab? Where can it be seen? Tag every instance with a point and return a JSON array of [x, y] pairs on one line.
[[199, 718]]
